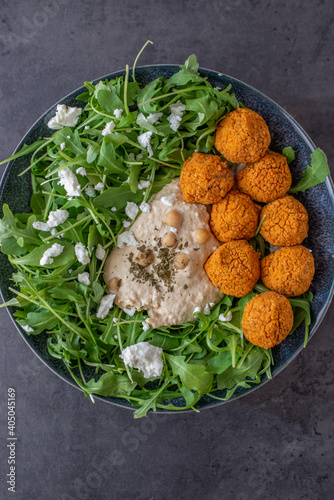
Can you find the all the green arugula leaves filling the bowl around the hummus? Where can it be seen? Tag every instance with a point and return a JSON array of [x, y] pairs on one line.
[[199, 358]]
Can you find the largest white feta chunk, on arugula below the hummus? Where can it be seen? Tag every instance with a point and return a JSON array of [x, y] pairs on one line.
[[145, 358]]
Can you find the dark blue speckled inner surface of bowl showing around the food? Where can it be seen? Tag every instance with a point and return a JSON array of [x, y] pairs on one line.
[[319, 202]]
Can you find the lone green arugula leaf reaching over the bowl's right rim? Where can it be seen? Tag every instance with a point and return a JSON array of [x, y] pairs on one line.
[[314, 174]]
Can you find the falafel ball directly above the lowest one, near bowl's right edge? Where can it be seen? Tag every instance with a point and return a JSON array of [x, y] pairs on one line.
[[288, 271]]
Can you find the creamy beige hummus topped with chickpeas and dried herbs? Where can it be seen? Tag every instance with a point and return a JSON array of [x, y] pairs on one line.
[[158, 266]]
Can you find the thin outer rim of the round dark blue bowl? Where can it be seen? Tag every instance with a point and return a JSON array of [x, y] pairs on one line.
[[329, 184]]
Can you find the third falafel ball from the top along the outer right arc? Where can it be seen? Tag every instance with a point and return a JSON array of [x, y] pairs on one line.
[[285, 223]]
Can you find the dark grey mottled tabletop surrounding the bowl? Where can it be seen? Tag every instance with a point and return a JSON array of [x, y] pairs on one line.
[[277, 442]]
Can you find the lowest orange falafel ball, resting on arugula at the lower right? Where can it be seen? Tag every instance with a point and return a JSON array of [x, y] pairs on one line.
[[267, 319]]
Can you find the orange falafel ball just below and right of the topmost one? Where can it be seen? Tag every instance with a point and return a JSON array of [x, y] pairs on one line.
[[267, 179]]
